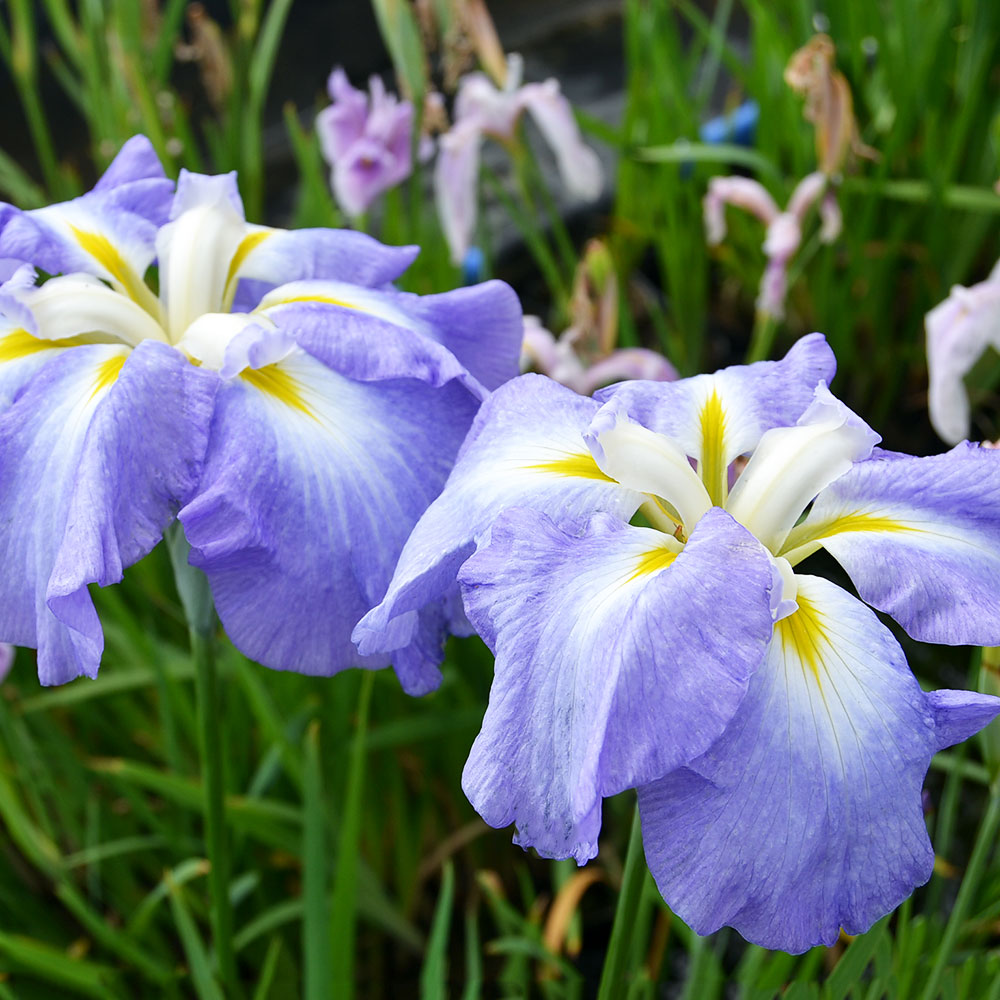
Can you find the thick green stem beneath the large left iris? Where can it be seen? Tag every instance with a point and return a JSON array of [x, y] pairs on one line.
[[199, 610]]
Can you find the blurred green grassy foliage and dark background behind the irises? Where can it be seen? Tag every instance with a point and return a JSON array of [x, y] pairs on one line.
[[358, 867]]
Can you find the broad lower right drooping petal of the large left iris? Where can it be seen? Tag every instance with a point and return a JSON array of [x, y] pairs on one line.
[[311, 485]]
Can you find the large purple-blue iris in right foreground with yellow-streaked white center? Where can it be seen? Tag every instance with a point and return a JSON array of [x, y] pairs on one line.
[[775, 734]]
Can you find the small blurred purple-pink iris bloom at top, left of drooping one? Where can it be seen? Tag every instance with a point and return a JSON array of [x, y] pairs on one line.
[[366, 139]]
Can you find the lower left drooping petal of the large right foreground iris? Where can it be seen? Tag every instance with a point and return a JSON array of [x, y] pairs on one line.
[[619, 657]]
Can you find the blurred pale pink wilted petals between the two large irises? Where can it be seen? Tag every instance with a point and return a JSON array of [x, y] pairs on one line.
[[557, 357]]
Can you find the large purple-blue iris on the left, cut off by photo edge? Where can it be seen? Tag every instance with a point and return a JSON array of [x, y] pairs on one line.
[[272, 396]]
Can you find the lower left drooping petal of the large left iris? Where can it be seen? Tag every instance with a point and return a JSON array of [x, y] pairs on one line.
[[96, 454]]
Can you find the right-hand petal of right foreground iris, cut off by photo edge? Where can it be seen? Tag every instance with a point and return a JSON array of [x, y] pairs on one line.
[[920, 538]]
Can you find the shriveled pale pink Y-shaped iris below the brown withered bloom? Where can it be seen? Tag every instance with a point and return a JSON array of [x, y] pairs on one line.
[[784, 228]]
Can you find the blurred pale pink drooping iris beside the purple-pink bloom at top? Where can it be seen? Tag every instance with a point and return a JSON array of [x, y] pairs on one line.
[[481, 109]]
